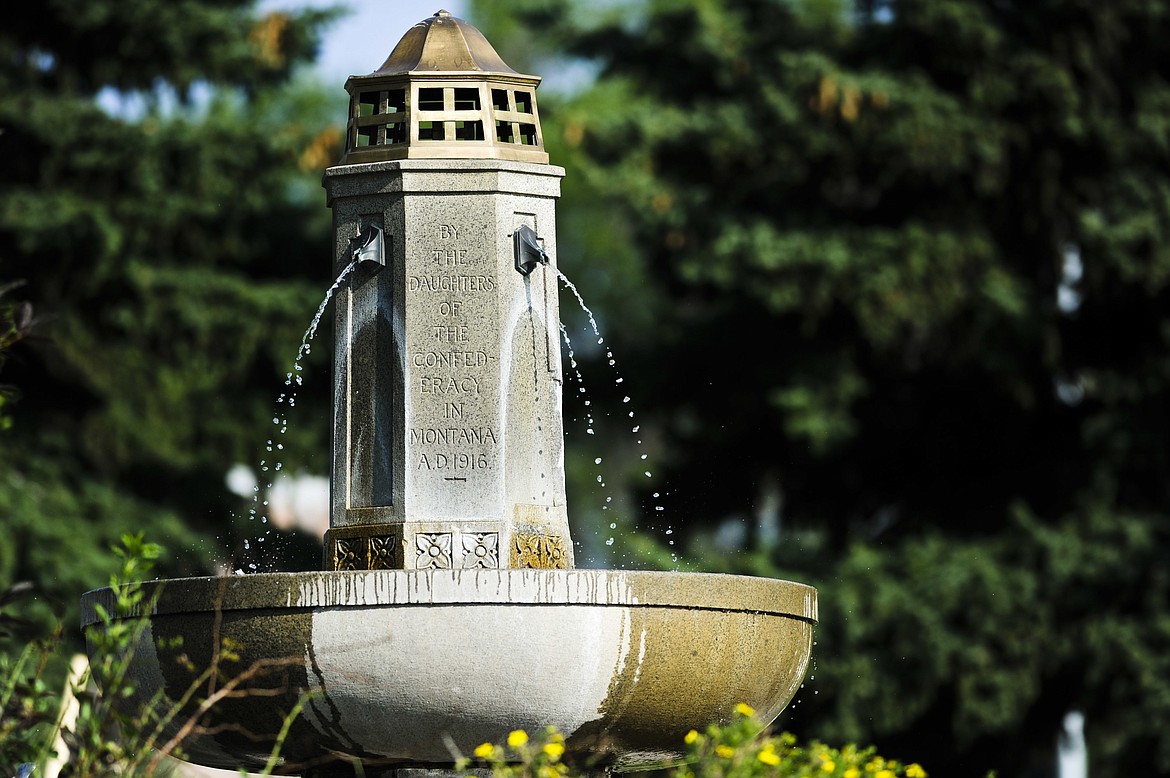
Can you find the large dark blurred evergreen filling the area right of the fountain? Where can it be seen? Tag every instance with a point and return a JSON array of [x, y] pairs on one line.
[[896, 276]]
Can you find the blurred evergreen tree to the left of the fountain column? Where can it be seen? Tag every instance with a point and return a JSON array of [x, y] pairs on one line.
[[160, 201]]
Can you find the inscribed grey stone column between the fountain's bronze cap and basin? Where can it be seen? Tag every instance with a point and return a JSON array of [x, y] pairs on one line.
[[448, 433]]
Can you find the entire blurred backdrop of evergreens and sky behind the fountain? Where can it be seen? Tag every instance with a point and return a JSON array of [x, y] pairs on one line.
[[886, 284]]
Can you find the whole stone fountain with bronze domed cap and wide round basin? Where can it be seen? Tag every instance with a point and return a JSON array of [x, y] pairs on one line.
[[449, 611]]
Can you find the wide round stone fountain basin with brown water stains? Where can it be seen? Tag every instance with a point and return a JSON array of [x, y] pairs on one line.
[[411, 667]]
